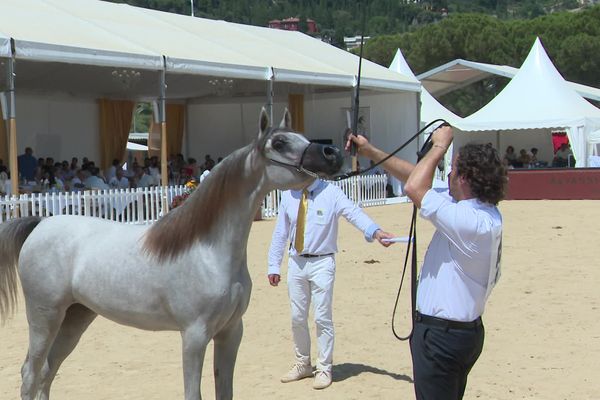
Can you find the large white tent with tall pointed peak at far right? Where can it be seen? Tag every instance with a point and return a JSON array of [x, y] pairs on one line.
[[538, 100]]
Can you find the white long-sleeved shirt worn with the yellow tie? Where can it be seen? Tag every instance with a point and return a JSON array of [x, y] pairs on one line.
[[326, 203]]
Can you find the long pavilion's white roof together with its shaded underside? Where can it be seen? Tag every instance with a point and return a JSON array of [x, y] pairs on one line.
[[84, 43]]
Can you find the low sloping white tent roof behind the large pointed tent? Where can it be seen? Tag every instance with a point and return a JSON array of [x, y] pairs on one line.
[[459, 73]]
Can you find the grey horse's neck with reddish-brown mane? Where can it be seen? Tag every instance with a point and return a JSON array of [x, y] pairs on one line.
[[219, 213]]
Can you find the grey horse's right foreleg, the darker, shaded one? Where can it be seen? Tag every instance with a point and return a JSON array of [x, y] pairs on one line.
[[227, 343]]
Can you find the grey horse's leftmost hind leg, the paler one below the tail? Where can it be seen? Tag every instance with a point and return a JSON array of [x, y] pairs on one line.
[[43, 327]]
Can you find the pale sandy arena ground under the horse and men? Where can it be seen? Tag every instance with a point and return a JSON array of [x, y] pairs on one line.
[[542, 323]]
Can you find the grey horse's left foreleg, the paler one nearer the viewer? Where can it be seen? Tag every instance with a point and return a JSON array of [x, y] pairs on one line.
[[194, 342]]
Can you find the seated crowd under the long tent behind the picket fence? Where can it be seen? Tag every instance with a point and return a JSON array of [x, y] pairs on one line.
[[46, 175]]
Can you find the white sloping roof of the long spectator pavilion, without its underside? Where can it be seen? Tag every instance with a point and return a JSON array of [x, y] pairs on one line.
[[98, 33]]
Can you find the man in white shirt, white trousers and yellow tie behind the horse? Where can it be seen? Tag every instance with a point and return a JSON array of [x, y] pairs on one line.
[[311, 270]]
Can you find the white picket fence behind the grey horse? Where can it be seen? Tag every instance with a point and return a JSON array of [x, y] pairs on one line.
[[146, 205]]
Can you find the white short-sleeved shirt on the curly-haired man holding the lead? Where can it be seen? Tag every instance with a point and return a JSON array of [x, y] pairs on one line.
[[462, 263]]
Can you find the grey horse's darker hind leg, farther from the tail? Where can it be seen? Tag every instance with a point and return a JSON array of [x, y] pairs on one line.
[[77, 319]]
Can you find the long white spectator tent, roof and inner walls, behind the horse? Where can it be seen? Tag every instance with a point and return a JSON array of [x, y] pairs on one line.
[[69, 53]]
